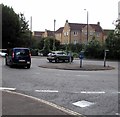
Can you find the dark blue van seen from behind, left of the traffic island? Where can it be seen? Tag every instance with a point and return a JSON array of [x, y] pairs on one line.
[[19, 57]]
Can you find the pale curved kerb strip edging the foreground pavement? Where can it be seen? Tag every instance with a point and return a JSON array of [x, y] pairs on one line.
[[70, 112]]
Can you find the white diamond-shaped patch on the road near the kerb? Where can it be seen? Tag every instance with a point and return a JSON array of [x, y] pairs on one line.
[[83, 103]]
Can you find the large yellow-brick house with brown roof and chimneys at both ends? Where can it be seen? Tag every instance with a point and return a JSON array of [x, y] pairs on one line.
[[77, 33]]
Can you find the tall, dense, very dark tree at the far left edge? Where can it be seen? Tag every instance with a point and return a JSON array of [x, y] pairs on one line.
[[10, 27]]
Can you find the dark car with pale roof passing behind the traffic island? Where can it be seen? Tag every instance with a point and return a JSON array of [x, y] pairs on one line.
[[58, 56]]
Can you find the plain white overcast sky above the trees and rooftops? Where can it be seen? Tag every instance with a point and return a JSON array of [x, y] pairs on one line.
[[44, 12]]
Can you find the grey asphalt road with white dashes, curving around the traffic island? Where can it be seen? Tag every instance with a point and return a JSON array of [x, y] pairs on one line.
[[85, 92]]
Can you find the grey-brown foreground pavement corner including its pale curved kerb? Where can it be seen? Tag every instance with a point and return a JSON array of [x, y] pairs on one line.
[[18, 104]]
